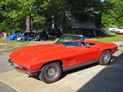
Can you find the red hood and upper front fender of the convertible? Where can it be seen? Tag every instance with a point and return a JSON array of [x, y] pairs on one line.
[[28, 55]]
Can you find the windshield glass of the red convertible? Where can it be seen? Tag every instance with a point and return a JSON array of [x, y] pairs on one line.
[[69, 40]]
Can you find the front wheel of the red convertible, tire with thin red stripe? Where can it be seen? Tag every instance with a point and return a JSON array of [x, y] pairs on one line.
[[50, 72]]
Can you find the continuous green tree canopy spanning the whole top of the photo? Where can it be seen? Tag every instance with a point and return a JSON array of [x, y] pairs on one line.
[[14, 13]]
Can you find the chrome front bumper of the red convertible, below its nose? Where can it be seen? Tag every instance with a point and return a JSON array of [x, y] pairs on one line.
[[22, 70]]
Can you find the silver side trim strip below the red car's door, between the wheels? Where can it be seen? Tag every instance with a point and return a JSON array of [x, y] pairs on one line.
[[80, 65]]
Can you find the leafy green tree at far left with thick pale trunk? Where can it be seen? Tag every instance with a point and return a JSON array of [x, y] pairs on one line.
[[18, 10]]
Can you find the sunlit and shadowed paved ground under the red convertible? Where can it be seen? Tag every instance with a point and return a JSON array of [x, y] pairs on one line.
[[92, 78]]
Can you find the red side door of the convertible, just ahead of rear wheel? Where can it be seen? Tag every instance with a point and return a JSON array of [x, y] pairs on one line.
[[88, 53]]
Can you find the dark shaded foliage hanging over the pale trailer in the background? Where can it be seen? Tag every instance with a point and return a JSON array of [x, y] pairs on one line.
[[84, 9]]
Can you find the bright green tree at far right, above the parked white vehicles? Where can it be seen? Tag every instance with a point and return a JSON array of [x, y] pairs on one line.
[[113, 15]]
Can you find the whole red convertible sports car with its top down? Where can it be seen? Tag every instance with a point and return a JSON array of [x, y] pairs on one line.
[[69, 52]]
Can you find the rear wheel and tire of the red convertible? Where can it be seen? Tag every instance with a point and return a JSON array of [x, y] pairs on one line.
[[105, 57]]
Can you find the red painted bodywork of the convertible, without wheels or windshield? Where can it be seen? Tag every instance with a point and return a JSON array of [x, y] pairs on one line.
[[32, 58]]
